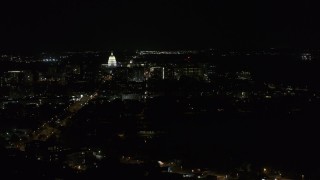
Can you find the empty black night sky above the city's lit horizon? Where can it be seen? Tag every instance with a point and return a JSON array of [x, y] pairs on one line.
[[51, 25]]
